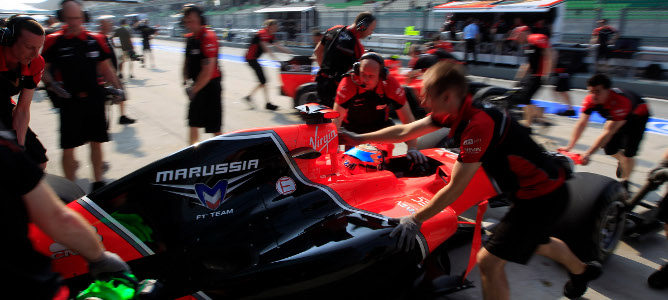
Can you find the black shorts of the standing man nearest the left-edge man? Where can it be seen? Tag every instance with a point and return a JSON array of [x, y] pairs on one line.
[[83, 120]]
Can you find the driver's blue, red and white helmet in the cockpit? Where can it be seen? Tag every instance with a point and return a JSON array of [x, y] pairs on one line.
[[363, 158]]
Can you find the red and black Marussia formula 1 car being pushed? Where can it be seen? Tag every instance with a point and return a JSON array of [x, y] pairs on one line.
[[278, 212]]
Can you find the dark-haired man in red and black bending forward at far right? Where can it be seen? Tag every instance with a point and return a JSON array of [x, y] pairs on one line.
[[626, 114]]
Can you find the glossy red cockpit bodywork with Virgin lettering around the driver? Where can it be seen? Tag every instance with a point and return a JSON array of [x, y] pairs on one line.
[[382, 192]]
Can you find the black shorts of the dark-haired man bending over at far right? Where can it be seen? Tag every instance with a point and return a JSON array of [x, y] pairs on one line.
[[628, 137]]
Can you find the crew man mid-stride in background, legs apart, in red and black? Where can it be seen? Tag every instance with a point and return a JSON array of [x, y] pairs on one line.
[[260, 44]]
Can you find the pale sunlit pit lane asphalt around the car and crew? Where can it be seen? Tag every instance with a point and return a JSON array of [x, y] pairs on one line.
[[158, 102]]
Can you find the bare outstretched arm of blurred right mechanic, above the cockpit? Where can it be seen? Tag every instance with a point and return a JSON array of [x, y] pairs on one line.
[[400, 133]]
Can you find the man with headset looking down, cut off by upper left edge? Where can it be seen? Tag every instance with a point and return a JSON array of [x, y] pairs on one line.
[[21, 69]]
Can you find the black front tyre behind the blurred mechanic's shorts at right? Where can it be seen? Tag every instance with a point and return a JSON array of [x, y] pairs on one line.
[[594, 220]]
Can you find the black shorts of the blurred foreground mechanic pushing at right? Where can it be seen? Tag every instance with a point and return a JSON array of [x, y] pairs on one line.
[[527, 225]]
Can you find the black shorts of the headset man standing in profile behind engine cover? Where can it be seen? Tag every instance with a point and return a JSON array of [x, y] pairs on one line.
[[206, 109]]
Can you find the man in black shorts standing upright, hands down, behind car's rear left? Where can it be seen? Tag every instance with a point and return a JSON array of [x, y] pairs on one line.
[[77, 58]]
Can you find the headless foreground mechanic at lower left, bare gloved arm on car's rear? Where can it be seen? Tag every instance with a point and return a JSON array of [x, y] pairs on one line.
[[28, 198]]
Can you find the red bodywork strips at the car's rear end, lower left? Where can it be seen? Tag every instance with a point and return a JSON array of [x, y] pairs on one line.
[[69, 263]]
